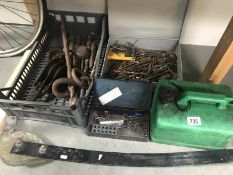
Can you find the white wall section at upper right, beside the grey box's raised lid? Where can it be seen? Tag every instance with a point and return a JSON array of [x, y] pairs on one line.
[[206, 21]]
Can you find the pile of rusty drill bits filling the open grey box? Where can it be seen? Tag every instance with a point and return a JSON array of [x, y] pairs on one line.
[[147, 66]]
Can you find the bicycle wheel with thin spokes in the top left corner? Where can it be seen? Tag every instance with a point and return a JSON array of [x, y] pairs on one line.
[[20, 25]]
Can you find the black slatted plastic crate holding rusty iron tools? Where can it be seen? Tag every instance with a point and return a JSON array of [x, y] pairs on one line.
[[16, 100]]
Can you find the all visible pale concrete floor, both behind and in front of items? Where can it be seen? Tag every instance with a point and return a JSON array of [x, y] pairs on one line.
[[77, 138]]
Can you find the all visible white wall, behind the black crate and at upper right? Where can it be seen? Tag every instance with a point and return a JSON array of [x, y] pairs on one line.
[[205, 21]]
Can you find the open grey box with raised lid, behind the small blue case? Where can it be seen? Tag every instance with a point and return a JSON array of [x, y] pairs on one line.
[[149, 24]]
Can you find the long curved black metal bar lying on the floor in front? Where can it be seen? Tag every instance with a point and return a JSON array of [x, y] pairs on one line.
[[122, 159]]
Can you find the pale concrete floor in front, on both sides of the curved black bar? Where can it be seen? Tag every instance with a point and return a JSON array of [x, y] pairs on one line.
[[77, 138]]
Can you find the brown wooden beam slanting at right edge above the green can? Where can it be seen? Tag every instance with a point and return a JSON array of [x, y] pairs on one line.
[[221, 61]]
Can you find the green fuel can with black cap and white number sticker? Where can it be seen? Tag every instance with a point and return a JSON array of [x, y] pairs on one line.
[[192, 114]]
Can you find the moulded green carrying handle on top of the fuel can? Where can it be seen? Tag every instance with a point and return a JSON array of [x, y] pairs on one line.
[[220, 100]]
